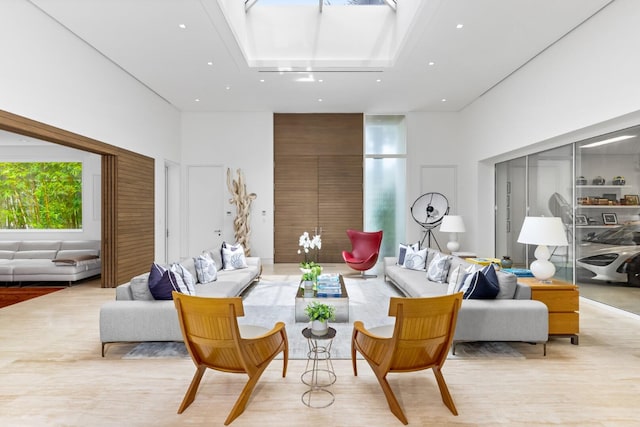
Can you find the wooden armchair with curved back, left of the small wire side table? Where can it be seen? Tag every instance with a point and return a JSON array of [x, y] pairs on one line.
[[215, 340]]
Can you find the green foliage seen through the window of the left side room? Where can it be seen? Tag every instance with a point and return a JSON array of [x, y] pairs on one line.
[[41, 195]]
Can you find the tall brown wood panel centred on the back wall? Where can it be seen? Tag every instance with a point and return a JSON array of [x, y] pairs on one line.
[[318, 181]]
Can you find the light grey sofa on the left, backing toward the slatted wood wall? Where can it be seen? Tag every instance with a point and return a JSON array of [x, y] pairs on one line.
[[135, 316]]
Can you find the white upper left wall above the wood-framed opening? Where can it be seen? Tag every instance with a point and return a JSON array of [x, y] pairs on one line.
[[49, 75]]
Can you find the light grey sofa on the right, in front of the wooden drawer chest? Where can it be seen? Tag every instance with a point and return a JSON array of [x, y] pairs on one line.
[[512, 316]]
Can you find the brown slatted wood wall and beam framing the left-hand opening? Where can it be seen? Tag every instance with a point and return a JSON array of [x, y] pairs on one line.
[[128, 207]]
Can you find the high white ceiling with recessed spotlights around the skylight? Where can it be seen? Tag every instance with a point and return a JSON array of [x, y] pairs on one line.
[[205, 66]]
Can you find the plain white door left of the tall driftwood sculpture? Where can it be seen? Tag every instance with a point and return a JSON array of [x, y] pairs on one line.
[[205, 207]]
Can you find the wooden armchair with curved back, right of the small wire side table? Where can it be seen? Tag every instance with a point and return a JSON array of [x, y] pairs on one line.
[[420, 339]]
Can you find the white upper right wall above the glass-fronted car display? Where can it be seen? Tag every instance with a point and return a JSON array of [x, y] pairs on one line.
[[585, 85]]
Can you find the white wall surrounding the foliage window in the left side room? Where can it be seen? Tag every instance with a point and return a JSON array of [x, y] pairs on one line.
[[91, 172]]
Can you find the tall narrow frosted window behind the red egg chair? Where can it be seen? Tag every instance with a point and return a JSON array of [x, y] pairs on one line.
[[385, 179]]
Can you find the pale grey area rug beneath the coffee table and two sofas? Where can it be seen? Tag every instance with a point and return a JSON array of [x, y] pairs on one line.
[[268, 302]]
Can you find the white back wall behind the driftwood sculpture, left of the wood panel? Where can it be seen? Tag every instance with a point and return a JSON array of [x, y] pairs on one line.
[[236, 141]]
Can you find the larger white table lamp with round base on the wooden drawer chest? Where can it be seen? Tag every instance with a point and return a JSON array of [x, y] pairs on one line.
[[544, 232]]
